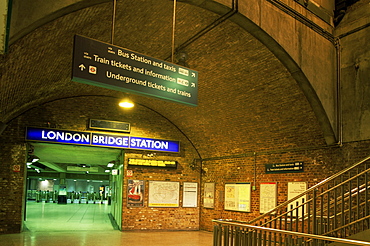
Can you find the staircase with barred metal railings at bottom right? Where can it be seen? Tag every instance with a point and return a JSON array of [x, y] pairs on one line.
[[333, 210]]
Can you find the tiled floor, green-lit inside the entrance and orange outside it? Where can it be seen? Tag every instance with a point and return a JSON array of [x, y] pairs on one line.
[[89, 224]]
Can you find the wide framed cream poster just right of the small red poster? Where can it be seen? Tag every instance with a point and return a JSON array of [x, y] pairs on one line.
[[164, 194]]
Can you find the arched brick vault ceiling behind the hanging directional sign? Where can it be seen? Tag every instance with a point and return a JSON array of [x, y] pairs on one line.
[[243, 88]]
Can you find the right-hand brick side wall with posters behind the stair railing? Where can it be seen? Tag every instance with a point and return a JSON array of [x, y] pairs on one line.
[[318, 165]]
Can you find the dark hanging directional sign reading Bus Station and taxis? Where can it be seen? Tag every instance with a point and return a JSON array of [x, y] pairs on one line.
[[112, 67]]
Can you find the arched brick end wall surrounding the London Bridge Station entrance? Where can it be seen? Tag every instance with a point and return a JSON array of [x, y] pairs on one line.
[[73, 114]]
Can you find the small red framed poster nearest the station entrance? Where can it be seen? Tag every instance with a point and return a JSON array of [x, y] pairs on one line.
[[135, 193]]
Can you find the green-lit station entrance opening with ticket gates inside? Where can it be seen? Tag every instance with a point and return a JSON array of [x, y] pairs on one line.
[[72, 187]]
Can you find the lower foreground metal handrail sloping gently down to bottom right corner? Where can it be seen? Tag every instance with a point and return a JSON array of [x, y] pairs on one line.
[[300, 234]]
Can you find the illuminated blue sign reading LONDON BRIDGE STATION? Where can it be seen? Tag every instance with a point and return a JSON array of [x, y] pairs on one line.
[[100, 139]]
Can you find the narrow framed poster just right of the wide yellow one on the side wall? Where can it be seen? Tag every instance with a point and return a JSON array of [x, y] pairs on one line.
[[268, 196]]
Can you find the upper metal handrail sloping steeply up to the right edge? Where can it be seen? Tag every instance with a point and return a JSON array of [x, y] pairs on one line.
[[310, 189]]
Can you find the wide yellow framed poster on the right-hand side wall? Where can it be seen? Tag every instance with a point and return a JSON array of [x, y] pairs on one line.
[[238, 197]]
